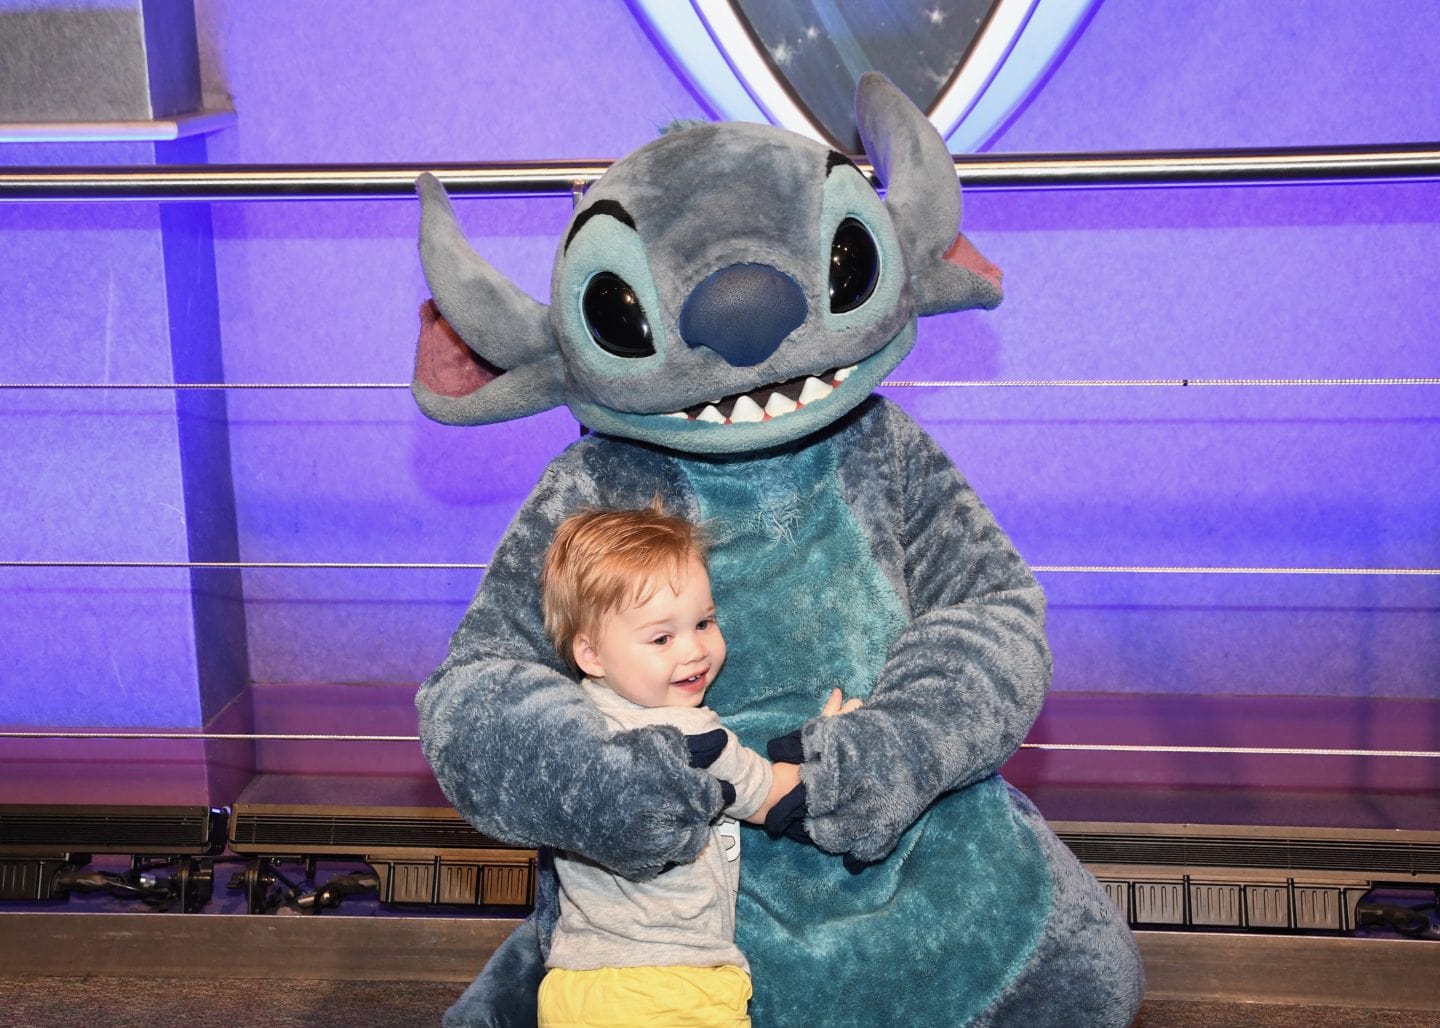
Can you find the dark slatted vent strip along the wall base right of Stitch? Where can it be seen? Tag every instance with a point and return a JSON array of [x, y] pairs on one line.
[[1238, 852]]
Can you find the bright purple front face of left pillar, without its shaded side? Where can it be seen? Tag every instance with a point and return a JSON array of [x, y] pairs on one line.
[[91, 476]]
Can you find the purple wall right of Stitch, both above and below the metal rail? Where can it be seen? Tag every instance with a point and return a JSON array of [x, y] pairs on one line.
[[1220, 283]]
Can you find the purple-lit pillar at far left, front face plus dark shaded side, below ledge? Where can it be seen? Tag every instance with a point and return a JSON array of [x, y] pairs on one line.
[[114, 294]]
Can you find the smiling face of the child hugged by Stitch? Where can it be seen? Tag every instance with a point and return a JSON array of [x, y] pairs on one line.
[[663, 653]]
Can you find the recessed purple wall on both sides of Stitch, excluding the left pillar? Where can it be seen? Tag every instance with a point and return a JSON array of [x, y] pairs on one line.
[[1120, 284]]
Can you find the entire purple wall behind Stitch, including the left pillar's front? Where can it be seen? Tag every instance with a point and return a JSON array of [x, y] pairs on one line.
[[1271, 281]]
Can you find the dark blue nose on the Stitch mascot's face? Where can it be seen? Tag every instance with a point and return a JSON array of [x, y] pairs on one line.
[[744, 313]]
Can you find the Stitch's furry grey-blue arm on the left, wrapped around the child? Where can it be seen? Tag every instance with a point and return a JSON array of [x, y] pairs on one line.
[[519, 749]]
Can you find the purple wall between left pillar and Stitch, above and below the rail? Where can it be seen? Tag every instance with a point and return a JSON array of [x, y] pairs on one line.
[[329, 293]]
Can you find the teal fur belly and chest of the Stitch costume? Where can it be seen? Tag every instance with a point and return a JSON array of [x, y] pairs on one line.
[[937, 931]]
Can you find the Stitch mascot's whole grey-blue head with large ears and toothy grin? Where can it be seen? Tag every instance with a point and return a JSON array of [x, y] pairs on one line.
[[665, 330]]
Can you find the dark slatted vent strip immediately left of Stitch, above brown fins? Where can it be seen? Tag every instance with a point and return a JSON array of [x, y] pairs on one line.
[[358, 833]]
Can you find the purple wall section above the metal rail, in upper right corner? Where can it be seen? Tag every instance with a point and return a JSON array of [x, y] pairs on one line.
[[1239, 74]]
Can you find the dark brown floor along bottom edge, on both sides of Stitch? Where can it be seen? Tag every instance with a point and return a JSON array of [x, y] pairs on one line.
[[174, 1003]]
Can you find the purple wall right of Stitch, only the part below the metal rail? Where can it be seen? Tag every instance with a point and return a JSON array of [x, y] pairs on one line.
[[1271, 283]]
